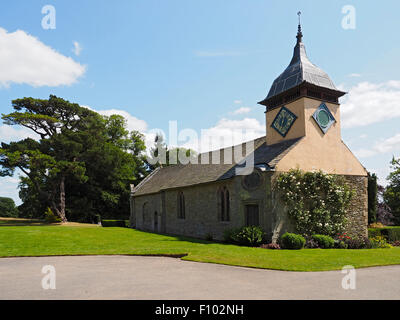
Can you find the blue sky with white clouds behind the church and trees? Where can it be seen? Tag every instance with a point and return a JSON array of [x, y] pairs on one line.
[[203, 63]]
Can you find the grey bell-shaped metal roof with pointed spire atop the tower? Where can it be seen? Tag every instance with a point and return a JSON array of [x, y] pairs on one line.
[[301, 71]]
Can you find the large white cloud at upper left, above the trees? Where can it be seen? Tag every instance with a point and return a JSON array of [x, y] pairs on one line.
[[26, 60]]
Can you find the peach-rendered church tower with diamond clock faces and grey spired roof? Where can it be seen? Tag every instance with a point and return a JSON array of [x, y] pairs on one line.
[[303, 103]]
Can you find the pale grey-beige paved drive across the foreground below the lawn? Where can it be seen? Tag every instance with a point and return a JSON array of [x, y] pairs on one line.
[[129, 277]]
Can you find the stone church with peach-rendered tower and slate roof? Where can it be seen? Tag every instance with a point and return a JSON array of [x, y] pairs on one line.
[[303, 130]]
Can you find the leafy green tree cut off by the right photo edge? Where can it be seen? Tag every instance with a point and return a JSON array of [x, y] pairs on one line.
[[392, 192]]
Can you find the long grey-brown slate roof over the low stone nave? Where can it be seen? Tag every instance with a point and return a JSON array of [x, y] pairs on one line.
[[180, 175]]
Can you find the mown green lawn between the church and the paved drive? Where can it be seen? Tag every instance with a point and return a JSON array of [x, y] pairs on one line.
[[45, 240]]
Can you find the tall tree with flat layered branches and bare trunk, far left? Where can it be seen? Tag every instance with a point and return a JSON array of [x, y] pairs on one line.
[[49, 161]]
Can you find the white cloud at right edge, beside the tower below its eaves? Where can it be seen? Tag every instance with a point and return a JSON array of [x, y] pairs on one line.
[[369, 103]]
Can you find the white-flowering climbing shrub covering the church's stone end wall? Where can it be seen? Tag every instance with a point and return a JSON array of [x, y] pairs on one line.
[[316, 202]]
